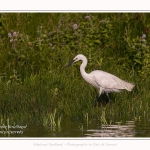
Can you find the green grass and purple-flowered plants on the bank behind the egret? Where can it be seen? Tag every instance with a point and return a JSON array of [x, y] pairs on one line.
[[34, 48]]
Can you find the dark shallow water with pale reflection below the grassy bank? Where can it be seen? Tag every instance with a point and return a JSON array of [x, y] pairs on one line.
[[126, 128]]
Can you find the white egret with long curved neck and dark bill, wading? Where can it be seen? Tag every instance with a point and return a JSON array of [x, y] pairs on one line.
[[103, 81]]
